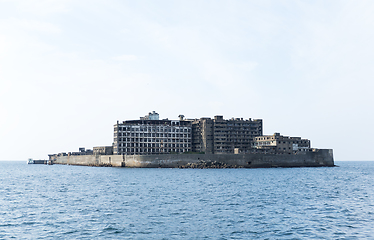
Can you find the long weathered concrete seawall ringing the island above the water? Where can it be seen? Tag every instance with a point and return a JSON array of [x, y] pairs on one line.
[[317, 158]]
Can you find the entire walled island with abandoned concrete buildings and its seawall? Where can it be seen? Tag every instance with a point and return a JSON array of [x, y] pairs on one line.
[[198, 143]]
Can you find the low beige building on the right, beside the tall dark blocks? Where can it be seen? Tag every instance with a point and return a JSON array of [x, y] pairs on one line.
[[281, 144]]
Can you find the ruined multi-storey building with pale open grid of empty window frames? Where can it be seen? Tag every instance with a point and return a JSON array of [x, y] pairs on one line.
[[149, 135]]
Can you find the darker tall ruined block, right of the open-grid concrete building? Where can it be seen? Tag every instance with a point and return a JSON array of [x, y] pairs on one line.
[[221, 136]]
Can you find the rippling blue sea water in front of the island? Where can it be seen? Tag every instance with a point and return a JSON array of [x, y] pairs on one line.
[[75, 202]]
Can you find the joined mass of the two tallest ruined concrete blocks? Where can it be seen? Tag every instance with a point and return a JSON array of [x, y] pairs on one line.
[[150, 135]]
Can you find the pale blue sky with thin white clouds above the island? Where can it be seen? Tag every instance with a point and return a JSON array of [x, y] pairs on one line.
[[70, 69]]
